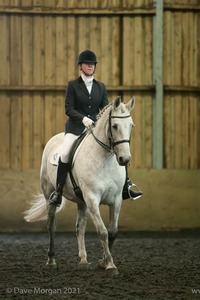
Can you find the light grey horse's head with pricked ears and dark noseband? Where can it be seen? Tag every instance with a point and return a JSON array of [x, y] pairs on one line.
[[120, 125]]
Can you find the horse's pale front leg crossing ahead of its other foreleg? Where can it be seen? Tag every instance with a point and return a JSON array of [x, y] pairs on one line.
[[107, 261]]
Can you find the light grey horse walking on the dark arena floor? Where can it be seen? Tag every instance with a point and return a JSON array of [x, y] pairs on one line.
[[99, 171]]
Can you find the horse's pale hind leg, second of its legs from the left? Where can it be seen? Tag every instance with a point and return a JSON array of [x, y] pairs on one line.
[[80, 233]]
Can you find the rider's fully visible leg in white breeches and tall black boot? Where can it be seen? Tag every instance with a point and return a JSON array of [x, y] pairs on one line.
[[63, 169]]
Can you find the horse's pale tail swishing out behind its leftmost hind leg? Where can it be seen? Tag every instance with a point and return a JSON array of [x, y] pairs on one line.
[[38, 210]]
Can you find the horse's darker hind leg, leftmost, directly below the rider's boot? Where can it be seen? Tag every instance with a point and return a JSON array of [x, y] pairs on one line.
[[51, 229]]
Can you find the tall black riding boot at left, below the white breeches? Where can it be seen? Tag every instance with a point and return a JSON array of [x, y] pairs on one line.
[[56, 197]]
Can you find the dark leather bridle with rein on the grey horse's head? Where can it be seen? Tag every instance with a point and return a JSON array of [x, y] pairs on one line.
[[113, 143]]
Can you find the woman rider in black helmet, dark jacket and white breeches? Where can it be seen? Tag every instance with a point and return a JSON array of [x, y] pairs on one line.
[[84, 97]]
